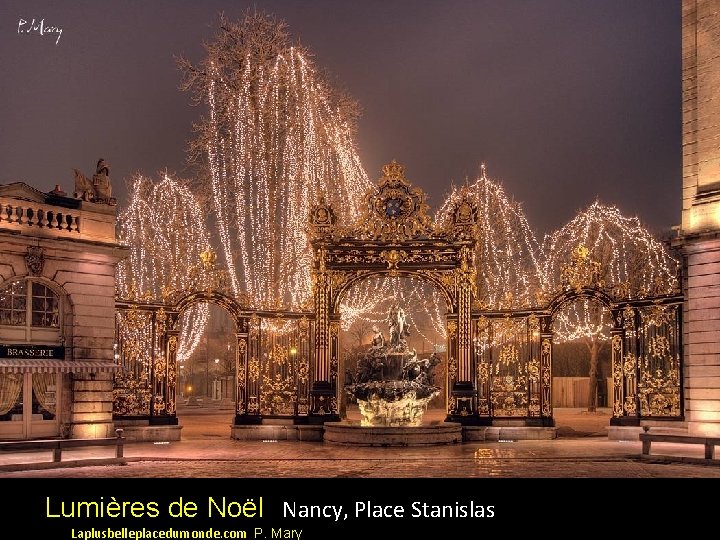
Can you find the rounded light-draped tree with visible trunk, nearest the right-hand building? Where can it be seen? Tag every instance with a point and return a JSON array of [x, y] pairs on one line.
[[603, 250]]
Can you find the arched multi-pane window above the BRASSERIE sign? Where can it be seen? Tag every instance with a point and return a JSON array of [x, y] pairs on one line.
[[29, 312]]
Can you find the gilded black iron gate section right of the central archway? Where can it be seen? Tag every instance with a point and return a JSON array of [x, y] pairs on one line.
[[513, 360]]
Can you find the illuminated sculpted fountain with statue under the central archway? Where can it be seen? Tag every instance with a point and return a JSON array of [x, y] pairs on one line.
[[391, 384]]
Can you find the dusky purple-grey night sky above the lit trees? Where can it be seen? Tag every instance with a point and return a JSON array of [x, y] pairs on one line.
[[565, 101]]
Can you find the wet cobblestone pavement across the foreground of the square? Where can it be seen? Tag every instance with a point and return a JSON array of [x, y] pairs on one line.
[[206, 451]]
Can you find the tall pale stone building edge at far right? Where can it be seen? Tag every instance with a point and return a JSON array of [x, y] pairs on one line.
[[700, 229]]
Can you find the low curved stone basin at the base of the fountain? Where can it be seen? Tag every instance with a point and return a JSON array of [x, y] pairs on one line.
[[353, 433]]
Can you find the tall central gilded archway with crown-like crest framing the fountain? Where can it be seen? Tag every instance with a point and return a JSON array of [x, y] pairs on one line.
[[394, 236]]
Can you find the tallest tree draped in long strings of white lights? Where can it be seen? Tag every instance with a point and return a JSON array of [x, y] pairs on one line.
[[277, 138]]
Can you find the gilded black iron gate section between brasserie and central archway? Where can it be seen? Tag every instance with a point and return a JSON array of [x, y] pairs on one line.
[[272, 366]]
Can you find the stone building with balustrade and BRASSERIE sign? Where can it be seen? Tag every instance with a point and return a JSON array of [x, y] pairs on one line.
[[57, 314]]
